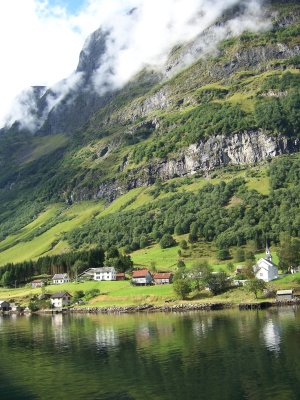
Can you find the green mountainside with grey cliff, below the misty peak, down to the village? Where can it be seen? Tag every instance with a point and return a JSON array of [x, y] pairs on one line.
[[124, 179]]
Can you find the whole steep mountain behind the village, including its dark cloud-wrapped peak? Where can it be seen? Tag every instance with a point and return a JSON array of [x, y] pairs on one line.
[[229, 99]]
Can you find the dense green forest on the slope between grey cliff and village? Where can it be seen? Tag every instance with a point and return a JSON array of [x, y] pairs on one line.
[[205, 215]]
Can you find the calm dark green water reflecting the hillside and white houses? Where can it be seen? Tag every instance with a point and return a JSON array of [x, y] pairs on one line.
[[216, 355]]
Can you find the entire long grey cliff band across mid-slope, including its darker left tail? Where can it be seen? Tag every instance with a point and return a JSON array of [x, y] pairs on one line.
[[207, 155]]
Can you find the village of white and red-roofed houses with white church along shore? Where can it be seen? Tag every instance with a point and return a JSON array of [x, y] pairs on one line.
[[263, 271]]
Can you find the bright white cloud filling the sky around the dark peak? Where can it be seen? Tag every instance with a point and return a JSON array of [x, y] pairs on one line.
[[40, 45]]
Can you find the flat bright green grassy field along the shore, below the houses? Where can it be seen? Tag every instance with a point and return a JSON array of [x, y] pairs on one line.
[[121, 293]]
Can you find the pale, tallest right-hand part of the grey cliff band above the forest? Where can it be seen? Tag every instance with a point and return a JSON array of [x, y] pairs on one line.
[[221, 150]]
